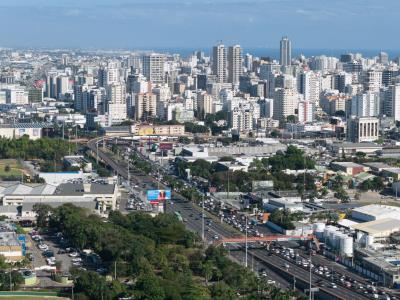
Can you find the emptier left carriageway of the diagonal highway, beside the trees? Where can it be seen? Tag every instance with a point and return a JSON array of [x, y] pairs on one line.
[[191, 213]]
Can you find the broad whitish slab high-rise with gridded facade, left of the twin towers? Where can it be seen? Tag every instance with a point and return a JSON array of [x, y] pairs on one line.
[[153, 68]]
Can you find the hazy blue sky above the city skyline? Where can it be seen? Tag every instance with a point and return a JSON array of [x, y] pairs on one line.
[[135, 24]]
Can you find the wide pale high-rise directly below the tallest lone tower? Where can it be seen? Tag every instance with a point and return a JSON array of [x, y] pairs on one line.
[[285, 103]]
